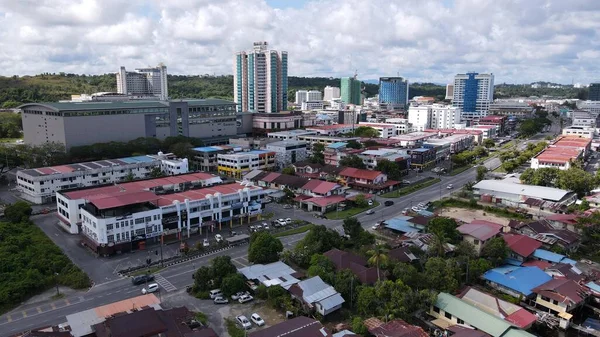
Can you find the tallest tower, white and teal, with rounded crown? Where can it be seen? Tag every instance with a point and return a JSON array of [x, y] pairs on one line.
[[260, 79]]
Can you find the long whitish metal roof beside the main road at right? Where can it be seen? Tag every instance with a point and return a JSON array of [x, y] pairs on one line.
[[539, 192]]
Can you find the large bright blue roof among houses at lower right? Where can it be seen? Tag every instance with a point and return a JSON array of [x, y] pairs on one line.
[[519, 279]]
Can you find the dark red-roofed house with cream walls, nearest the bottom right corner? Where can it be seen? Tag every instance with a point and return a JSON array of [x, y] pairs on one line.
[[559, 297]]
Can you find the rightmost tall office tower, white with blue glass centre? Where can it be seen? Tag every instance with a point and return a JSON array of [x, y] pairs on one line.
[[473, 93]]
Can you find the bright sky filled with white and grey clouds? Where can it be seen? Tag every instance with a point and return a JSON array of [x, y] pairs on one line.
[[520, 41]]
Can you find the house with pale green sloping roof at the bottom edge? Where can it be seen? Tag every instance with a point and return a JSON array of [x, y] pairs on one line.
[[450, 311]]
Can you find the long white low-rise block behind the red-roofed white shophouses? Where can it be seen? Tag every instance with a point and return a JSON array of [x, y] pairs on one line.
[[39, 185]]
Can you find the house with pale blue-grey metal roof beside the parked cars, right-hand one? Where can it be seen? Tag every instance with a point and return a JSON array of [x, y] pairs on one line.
[[314, 294]]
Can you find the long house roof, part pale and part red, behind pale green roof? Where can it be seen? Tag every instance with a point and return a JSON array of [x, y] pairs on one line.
[[507, 311]]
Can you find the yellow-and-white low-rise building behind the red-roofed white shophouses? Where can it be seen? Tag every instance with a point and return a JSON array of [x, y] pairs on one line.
[[238, 164]]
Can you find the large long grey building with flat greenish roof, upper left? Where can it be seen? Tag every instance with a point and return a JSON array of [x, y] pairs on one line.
[[75, 124]]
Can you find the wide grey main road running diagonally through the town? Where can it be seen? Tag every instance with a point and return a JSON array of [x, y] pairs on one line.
[[173, 280]]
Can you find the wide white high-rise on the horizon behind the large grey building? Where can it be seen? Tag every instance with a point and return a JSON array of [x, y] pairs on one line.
[[144, 82]]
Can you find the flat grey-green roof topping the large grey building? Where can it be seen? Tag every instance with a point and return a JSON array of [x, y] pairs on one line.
[[67, 106]]
